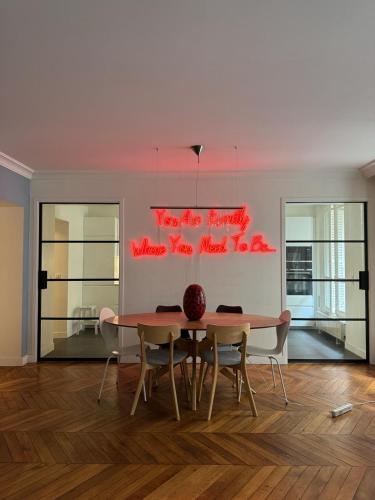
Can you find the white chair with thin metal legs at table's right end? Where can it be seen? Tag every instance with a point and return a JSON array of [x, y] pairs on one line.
[[281, 334]]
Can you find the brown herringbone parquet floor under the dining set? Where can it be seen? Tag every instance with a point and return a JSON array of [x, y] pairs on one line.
[[56, 442]]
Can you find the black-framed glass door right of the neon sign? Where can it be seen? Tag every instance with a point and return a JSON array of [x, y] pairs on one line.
[[327, 281]]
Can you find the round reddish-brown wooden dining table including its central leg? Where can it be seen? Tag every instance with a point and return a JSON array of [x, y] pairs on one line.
[[168, 318]]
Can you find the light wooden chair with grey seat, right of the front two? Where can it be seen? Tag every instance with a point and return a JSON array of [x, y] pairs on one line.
[[234, 359]]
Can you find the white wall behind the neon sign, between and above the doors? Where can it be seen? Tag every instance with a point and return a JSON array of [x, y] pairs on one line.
[[255, 281]]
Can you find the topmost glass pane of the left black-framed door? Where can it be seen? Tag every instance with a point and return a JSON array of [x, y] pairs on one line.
[[80, 222]]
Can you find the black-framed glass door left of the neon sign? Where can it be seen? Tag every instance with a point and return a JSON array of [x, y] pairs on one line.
[[78, 275]]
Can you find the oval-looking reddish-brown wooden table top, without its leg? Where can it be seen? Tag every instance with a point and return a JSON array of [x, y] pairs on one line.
[[132, 320]]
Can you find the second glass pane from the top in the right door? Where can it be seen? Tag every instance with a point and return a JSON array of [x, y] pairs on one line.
[[325, 260]]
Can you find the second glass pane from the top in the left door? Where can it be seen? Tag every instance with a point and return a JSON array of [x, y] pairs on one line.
[[81, 260]]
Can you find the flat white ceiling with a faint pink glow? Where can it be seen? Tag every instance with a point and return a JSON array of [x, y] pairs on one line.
[[98, 84]]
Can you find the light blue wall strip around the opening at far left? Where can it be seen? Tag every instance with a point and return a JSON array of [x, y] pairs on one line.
[[16, 189]]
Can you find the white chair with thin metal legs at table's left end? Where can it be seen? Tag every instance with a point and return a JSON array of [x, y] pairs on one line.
[[111, 341]]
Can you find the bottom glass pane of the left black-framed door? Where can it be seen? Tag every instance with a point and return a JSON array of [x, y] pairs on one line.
[[71, 339]]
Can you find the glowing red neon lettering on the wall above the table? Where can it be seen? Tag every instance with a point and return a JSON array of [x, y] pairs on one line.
[[210, 244]]
